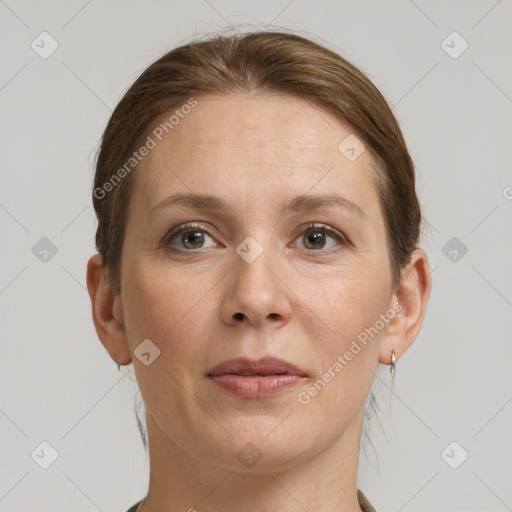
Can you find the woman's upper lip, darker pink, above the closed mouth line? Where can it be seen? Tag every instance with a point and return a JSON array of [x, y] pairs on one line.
[[263, 366]]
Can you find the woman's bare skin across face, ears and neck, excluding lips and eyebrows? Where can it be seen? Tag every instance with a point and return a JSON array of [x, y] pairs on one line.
[[301, 302]]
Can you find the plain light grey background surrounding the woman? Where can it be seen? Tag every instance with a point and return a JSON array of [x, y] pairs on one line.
[[58, 384]]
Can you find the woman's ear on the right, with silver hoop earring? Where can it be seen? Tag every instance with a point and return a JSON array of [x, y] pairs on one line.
[[410, 303]]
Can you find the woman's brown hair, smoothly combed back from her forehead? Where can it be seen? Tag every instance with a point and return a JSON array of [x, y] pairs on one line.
[[261, 62]]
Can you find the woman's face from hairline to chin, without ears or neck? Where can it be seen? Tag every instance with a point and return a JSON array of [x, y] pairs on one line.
[[251, 279]]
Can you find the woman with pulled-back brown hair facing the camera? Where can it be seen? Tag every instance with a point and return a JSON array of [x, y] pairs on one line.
[[257, 236]]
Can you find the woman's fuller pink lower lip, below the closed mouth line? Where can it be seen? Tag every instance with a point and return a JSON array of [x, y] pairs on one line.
[[256, 386]]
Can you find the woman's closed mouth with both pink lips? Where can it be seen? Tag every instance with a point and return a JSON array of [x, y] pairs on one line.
[[248, 378]]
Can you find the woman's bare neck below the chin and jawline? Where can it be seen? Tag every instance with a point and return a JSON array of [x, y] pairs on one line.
[[323, 482]]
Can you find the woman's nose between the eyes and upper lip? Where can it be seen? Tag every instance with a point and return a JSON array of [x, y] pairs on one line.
[[256, 292]]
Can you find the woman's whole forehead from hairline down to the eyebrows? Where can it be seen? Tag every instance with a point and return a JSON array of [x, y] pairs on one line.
[[253, 148]]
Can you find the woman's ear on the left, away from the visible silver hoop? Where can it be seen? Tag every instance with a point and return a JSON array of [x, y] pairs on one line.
[[107, 312]]
